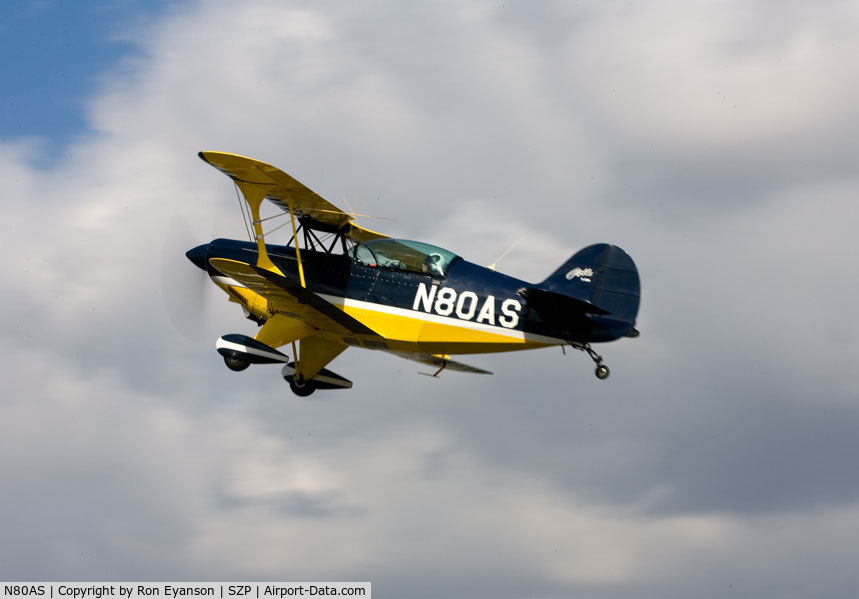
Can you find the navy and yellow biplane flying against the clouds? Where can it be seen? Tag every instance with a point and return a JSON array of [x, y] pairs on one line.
[[336, 285]]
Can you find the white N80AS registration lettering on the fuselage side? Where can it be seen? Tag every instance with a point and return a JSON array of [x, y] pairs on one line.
[[466, 305]]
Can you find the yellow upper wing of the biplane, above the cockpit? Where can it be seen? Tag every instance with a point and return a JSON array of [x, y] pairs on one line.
[[305, 202]]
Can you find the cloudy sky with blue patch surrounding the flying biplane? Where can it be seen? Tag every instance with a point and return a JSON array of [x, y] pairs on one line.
[[716, 141]]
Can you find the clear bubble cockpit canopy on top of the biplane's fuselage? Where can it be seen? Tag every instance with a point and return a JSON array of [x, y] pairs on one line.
[[404, 255]]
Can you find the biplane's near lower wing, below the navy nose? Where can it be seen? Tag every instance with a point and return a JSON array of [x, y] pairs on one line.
[[289, 298]]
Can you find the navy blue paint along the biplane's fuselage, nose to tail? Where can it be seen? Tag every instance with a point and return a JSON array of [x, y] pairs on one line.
[[601, 310]]
